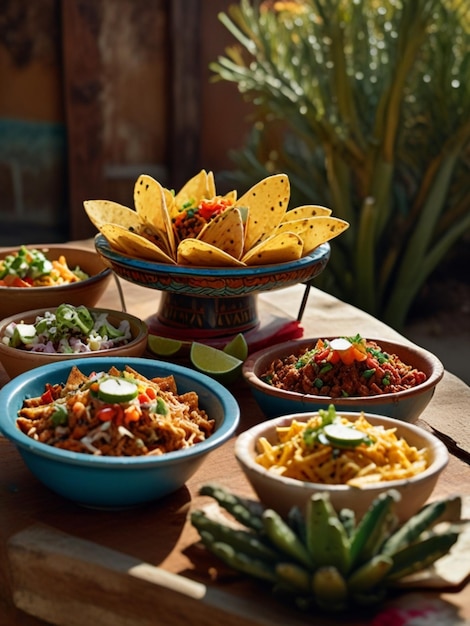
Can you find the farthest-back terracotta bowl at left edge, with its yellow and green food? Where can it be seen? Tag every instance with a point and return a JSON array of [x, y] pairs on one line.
[[31, 276]]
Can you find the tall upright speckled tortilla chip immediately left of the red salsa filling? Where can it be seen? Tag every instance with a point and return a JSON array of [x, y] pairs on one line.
[[150, 204]]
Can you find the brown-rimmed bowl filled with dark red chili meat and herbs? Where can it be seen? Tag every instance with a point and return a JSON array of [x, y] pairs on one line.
[[354, 373]]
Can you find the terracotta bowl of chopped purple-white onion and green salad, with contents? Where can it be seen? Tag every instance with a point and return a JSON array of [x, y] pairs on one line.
[[49, 335]]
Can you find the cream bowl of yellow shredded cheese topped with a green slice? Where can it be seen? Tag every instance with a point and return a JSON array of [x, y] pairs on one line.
[[352, 456]]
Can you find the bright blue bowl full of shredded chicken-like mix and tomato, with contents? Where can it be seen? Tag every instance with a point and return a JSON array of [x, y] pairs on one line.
[[115, 432]]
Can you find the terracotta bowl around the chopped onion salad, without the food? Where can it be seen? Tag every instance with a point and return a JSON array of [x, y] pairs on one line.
[[16, 361]]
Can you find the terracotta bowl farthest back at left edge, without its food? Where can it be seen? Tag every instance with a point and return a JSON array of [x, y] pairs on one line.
[[87, 292]]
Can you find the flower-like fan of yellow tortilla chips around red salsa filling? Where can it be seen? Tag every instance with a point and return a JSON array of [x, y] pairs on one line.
[[197, 227]]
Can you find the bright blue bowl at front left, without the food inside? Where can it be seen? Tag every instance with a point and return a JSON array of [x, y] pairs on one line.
[[100, 481]]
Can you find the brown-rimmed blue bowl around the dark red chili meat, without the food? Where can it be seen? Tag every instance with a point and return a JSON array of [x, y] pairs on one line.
[[406, 405]]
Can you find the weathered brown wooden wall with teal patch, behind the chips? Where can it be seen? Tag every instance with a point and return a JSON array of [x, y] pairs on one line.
[[94, 93]]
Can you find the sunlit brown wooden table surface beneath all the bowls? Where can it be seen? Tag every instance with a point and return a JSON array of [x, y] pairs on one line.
[[67, 565]]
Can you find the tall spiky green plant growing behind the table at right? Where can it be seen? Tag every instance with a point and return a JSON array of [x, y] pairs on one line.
[[366, 106]]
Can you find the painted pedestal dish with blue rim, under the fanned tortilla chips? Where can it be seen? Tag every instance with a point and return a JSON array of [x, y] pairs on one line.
[[201, 303]]
